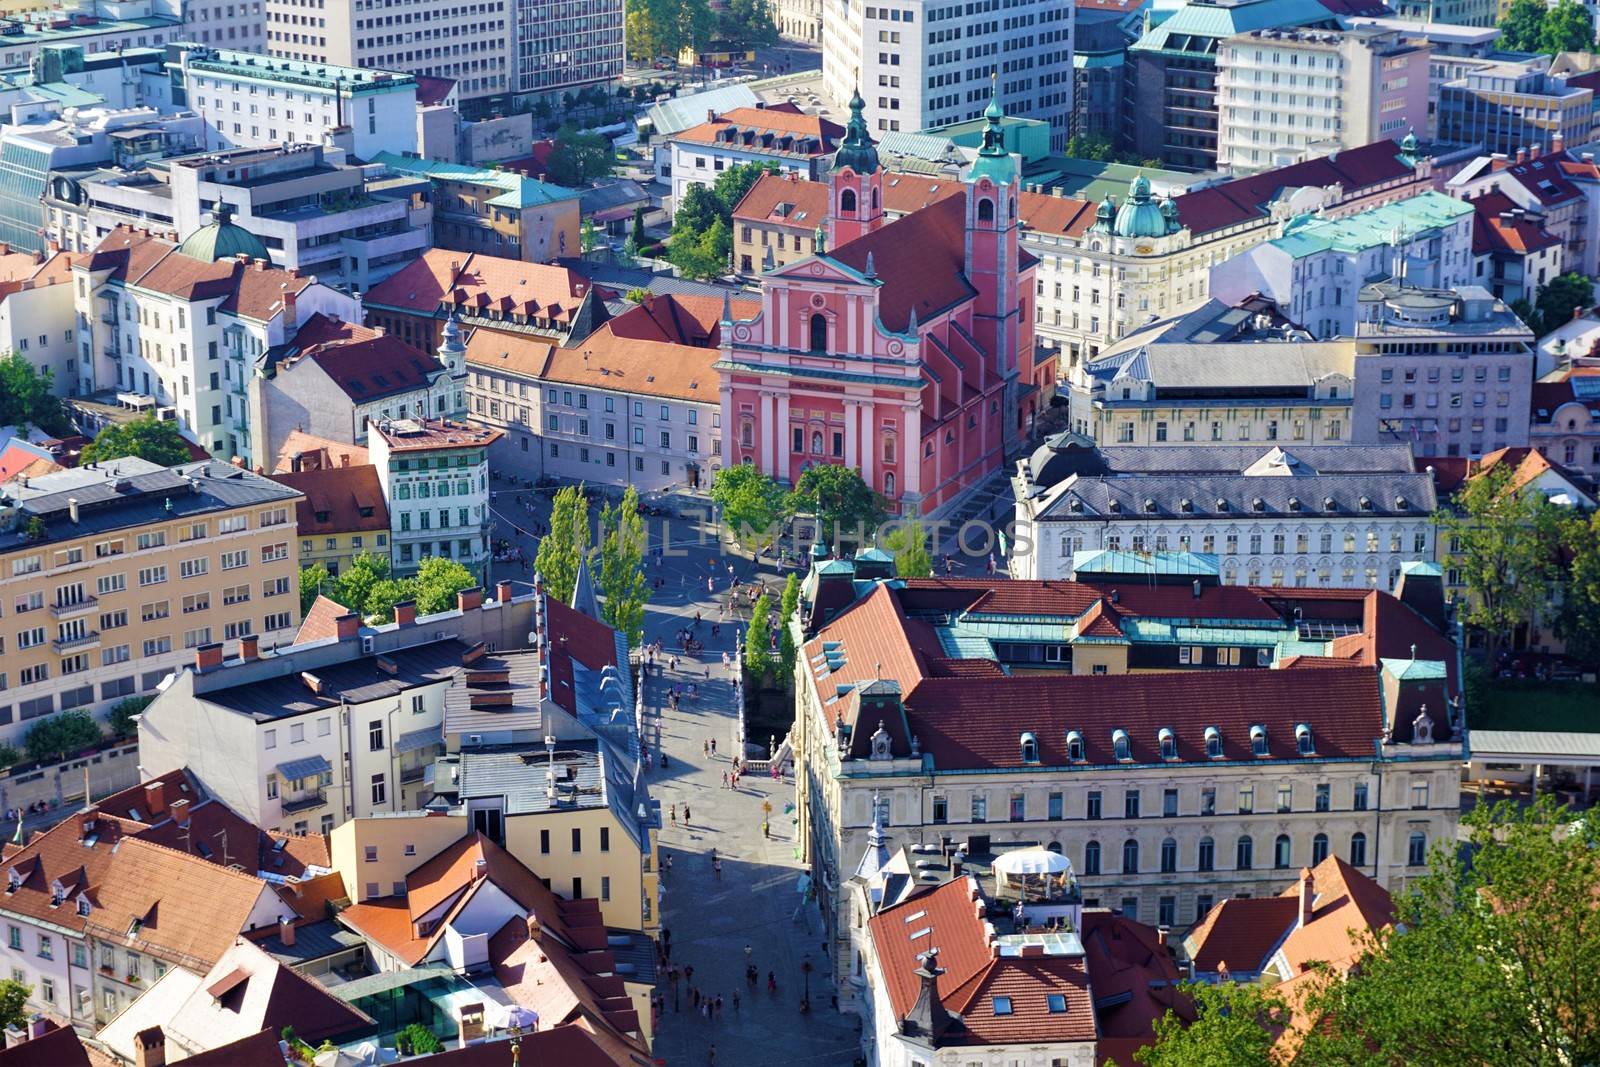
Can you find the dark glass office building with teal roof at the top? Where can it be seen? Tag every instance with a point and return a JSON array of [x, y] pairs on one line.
[[1174, 106]]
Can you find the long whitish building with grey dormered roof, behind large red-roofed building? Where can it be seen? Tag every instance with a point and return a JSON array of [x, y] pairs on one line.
[[1329, 518]]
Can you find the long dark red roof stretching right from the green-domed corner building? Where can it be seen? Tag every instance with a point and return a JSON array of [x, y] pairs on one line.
[[1249, 199]]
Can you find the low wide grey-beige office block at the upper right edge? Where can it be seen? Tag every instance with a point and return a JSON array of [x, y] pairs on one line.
[[1514, 106]]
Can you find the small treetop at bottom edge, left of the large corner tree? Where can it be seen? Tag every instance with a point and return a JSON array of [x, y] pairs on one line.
[[1233, 1026]]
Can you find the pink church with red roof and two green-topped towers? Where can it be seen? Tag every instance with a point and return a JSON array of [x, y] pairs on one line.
[[905, 351]]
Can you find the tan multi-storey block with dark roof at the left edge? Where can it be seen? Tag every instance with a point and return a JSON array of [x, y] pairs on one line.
[[116, 573]]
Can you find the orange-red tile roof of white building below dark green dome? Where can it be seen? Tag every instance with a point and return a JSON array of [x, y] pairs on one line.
[[252, 290]]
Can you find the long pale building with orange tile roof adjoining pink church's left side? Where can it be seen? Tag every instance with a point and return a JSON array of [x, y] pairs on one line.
[[607, 406]]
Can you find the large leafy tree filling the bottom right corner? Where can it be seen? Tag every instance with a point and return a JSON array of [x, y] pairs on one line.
[[1506, 941]]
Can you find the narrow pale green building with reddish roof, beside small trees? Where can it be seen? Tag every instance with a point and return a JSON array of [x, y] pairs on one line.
[[436, 479]]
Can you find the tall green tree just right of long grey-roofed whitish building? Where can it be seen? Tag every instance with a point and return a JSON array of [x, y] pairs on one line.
[[1502, 543]]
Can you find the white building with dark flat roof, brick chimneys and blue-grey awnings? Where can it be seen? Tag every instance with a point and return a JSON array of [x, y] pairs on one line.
[[338, 725]]
